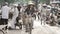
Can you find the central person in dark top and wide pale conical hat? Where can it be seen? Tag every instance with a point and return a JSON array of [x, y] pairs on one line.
[[29, 11]]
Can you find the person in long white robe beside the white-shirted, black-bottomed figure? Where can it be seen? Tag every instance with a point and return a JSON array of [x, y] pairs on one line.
[[15, 15]]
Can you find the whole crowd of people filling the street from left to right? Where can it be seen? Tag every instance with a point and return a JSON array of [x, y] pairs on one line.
[[24, 15]]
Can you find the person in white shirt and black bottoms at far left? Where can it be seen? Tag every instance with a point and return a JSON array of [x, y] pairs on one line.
[[5, 14]]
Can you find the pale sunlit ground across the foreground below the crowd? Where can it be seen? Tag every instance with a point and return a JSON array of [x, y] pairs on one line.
[[38, 29]]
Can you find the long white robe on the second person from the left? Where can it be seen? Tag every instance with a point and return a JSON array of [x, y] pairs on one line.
[[13, 20]]
